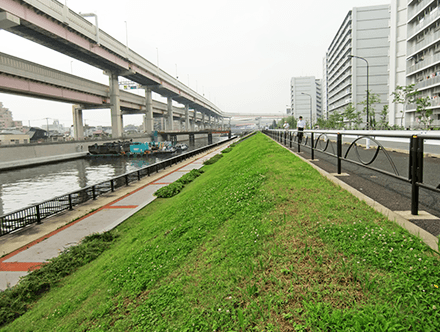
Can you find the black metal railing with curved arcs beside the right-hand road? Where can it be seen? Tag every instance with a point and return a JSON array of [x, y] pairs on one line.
[[331, 143]]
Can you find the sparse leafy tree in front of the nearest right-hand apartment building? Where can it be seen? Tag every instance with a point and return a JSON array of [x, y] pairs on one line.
[[408, 95]]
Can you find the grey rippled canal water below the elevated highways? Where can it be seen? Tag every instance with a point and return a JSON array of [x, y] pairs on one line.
[[28, 186]]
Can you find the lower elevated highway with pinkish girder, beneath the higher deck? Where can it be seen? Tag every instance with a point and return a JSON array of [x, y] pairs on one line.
[[18, 76]]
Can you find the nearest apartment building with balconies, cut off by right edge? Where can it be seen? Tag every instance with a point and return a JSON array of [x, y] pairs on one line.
[[422, 54]]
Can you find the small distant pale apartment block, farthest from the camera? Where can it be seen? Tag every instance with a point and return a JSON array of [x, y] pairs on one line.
[[306, 99]]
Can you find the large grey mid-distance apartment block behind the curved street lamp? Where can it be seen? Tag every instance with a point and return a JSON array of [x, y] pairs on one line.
[[364, 33]]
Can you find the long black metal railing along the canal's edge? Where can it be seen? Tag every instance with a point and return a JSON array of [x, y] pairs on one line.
[[36, 213]]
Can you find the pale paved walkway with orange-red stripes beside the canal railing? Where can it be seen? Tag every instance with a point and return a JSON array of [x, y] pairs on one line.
[[28, 248]]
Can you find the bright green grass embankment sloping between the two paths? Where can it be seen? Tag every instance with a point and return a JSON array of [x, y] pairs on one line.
[[259, 242]]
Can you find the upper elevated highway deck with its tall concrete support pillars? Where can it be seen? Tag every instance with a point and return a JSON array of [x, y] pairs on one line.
[[54, 25]]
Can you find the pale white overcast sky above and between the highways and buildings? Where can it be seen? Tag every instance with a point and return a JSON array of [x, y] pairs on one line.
[[241, 54]]
